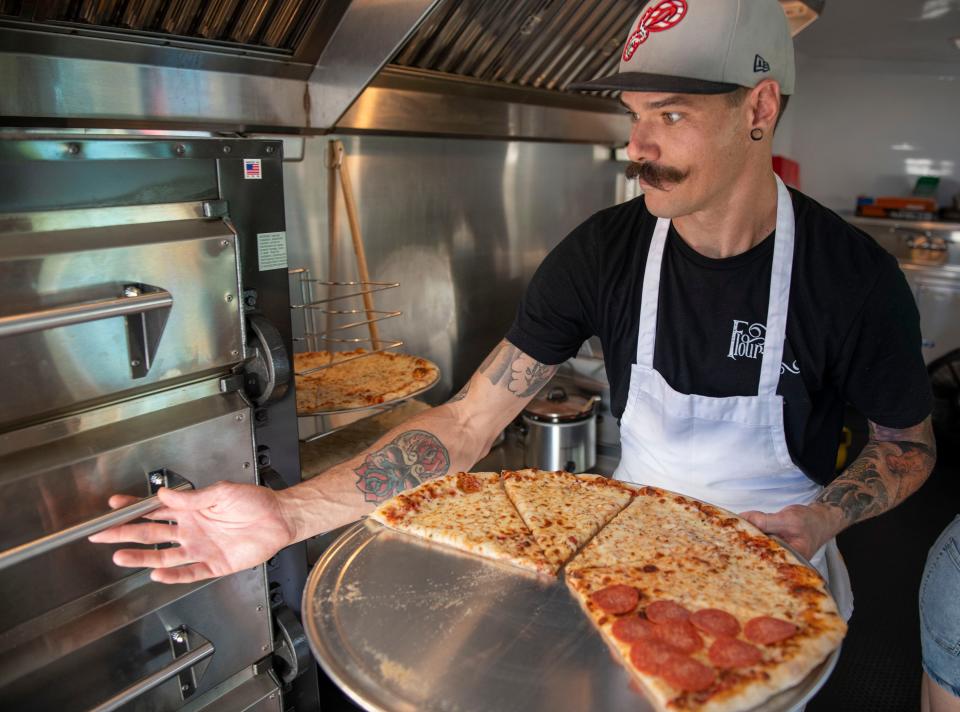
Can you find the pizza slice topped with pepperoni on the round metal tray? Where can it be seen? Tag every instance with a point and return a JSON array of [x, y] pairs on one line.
[[690, 650]]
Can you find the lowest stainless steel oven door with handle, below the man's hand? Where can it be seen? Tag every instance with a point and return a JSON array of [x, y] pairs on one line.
[[144, 647]]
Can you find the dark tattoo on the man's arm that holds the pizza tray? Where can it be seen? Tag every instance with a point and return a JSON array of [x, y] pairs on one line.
[[891, 467]]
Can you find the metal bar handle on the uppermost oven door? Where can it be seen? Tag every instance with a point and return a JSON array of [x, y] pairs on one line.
[[145, 307]]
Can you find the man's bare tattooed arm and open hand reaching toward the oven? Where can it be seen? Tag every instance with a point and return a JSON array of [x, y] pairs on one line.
[[228, 527]]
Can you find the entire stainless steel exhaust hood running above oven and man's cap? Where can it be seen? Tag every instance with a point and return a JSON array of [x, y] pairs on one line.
[[484, 68]]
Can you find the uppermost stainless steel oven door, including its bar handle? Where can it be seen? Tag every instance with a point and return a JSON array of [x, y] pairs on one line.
[[96, 314]]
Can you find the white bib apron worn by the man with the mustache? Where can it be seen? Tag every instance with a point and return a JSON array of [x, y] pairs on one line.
[[731, 452]]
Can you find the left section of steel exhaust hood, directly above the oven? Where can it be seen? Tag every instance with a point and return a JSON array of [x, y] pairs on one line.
[[289, 65]]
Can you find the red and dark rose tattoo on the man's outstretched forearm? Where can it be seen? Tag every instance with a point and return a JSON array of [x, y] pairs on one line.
[[406, 461]]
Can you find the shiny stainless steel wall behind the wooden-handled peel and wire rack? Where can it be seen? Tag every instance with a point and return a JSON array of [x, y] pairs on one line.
[[461, 224]]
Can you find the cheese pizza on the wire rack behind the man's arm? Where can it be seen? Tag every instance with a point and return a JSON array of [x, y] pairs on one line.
[[350, 382]]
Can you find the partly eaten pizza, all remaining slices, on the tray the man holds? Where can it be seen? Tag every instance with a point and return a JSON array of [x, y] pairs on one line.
[[705, 612]]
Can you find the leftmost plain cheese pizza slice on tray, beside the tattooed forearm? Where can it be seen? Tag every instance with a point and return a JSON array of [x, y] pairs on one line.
[[469, 511]]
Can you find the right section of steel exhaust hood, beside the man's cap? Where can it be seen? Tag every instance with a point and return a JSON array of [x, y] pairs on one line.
[[501, 68]]
